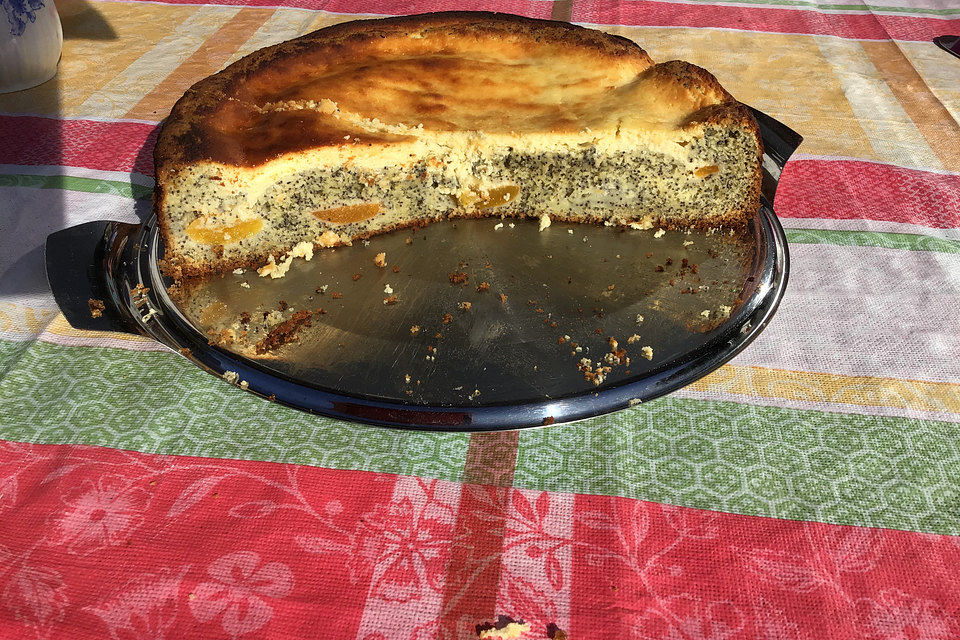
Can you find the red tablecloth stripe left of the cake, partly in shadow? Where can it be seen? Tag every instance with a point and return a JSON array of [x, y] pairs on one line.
[[108, 146]]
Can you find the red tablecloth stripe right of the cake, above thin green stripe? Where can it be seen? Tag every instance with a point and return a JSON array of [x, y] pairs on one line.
[[852, 190]]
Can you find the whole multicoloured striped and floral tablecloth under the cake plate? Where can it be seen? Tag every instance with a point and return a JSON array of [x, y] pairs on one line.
[[808, 489]]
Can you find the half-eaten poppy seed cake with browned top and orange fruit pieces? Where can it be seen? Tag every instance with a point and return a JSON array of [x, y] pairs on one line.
[[373, 125]]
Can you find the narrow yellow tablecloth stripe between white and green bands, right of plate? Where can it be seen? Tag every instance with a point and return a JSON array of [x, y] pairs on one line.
[[825, 387]]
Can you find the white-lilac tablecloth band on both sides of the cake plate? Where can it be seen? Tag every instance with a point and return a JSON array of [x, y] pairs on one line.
[[848, 310]]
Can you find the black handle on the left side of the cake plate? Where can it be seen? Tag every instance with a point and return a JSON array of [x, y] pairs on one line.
[[82, 266]]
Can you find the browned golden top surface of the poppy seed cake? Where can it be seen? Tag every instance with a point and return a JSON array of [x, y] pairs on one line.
[[382, 81]]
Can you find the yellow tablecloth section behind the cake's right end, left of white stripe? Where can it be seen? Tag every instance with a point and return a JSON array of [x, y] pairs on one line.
[[784, 75]]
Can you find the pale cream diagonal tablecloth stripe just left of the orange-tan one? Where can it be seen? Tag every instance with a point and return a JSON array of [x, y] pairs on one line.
[[124, 91]]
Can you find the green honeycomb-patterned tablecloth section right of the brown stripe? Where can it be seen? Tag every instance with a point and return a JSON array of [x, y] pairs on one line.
[[786, 463]]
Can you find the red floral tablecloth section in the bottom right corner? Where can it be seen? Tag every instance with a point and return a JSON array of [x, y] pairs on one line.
[[670, 572]]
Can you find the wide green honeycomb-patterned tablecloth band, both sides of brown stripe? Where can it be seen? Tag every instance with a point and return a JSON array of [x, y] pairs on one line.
[[802, 464]]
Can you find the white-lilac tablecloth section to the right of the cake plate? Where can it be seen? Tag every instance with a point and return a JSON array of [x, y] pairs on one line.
[[866, 311]]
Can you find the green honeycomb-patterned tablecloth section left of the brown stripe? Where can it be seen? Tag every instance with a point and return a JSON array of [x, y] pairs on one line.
[[156, 402]]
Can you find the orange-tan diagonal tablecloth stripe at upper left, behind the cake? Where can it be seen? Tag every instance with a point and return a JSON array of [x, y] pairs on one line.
[[209, 58]]
